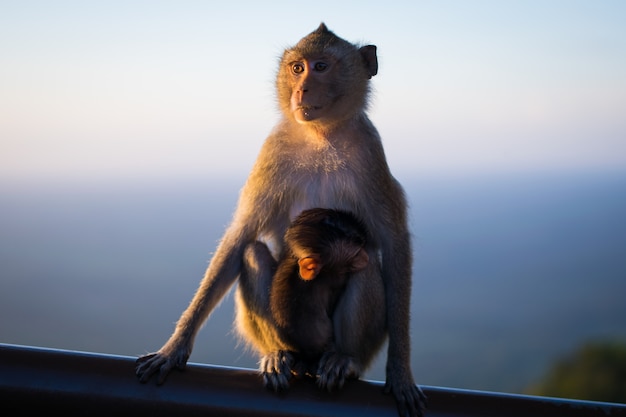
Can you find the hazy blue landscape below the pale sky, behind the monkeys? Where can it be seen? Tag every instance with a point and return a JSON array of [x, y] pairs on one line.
[[511, 274]]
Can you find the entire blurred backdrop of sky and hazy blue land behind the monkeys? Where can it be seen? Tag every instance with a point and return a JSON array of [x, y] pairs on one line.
[[127, 129]]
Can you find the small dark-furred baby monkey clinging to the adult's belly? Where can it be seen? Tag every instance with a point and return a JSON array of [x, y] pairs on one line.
[[323, 247]]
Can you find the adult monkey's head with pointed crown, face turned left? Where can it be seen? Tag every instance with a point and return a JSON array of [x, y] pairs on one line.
[[324, 80]]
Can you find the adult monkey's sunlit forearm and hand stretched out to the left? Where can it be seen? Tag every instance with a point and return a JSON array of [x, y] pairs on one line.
[[219, 277]]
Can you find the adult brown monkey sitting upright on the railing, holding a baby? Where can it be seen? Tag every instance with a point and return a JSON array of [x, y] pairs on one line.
[[324, 152]]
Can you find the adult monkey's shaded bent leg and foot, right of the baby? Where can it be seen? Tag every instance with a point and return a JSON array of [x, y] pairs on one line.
[[359, 329]]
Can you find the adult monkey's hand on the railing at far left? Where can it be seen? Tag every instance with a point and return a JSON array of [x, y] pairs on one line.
[[161, 363]]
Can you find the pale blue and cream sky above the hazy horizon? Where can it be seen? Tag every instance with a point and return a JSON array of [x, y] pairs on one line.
[[184, 89]]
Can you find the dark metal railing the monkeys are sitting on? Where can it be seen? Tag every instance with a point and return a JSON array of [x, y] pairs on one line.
[[77, 383]]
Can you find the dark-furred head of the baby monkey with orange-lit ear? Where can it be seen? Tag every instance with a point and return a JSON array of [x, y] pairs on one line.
[[330, 239]]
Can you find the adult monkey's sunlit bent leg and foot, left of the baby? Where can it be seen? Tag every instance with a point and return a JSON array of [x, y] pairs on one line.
[[254, 320]]
